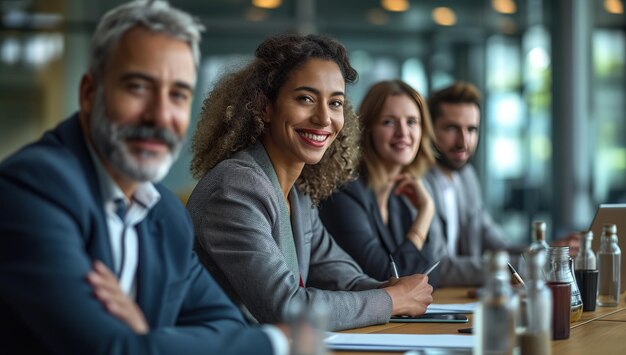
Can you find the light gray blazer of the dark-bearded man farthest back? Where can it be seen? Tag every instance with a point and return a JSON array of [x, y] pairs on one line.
[[478, 231]]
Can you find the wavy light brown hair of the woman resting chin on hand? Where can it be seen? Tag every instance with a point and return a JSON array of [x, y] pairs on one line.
[[369, 115]]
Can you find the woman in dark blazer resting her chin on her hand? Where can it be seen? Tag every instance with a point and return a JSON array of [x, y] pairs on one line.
[[386, 213]]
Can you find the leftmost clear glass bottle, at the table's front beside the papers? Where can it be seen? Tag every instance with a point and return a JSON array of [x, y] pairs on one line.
[[497, 312]]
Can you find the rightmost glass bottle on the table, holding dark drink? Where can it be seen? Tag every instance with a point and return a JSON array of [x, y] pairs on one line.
[[609, 263]]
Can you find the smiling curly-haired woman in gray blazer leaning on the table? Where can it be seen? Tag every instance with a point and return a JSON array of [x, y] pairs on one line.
[[274, 138]]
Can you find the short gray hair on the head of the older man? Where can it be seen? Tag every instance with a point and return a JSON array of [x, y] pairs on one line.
[[156, 16]]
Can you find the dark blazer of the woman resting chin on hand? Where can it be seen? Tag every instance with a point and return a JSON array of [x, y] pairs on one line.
[[353, 218]]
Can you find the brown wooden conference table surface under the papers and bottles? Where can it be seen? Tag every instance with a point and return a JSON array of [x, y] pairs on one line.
[[602, 331]]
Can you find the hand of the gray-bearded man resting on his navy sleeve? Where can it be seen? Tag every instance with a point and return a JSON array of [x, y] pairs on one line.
[[108, 291]]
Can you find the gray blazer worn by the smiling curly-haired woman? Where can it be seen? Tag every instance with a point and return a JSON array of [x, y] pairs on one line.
[[241, 222]]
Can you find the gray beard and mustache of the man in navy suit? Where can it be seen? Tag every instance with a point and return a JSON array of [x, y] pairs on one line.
[[110, 138]]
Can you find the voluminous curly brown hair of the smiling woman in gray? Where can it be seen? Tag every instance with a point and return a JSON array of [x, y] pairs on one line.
[[232, 114]]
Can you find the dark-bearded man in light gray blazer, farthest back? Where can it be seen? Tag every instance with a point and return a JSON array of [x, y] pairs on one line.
[[461, 222]]
